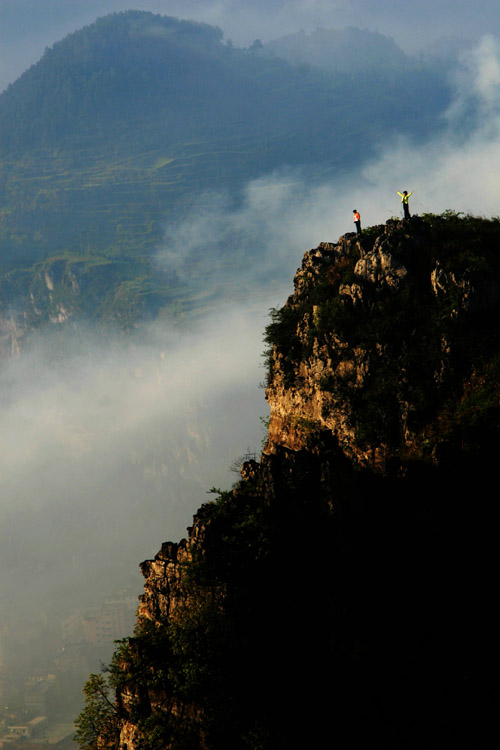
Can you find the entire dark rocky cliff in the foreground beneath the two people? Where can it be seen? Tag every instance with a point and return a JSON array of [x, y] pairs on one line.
[[343, 589]]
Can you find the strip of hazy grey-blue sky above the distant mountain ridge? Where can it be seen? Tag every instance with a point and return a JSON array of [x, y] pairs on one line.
[[28, 26]]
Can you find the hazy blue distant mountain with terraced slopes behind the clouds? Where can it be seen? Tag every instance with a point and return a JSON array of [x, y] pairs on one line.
[[121, 127]]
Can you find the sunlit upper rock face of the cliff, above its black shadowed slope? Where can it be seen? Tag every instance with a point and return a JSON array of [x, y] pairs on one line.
[[381, 330]]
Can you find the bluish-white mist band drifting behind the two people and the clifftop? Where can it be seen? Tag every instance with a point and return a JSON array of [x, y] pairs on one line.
[[280, 215]]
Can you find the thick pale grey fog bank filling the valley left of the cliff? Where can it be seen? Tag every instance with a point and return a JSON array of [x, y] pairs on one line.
[[107, 450]]
